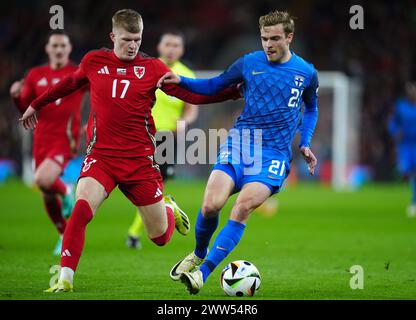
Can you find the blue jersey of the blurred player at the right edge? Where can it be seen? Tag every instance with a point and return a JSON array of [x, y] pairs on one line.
[[403, 122]]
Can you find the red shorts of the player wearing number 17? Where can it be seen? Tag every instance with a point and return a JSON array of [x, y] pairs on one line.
[[138, 178]]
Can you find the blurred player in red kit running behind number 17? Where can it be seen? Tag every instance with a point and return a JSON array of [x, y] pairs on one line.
[[56, 137]]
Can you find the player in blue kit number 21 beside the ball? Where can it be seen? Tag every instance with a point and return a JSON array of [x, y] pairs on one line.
[[276, 82]]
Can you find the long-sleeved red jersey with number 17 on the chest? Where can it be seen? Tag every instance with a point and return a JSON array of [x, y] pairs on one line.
[[122, 96]]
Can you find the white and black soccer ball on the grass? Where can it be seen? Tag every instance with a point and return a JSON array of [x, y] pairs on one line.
[[240, 278]]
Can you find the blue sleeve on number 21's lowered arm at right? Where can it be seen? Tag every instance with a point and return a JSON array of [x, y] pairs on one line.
[[310, 114]]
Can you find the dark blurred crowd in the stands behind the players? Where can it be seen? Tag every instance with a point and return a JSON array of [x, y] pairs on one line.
[[382, 56]]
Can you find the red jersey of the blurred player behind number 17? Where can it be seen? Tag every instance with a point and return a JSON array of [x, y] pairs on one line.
[[59, 122]]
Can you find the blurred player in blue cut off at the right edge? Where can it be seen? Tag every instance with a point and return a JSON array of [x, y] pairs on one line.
[[402, 127]]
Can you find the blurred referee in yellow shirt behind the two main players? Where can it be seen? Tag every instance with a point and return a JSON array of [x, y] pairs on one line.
[[166, 113]]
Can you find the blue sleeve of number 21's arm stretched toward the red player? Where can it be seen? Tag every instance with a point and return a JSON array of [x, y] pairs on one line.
[[234, 74]]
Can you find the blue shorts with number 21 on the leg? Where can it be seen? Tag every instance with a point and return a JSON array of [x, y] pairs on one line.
[[245, 165]]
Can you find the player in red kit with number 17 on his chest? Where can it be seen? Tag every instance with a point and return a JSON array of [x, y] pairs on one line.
[[121, 142]]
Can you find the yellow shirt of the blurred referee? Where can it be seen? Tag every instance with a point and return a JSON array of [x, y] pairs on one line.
[[167, 109]]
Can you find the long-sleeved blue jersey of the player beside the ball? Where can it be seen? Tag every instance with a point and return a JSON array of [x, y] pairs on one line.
[[273, 94]]
